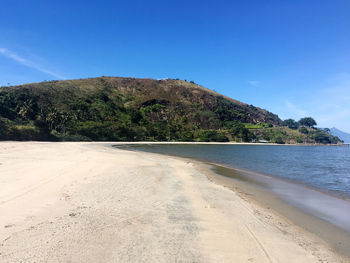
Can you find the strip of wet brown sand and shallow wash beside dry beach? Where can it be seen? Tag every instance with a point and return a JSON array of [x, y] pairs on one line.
[[248, 185]]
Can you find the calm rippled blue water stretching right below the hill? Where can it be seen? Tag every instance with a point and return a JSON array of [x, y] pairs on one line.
[[326, 168]]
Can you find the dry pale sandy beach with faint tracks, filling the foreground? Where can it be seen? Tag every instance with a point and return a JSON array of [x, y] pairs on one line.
[[88, 202]]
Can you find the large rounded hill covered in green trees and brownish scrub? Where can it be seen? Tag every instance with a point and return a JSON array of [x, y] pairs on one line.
[[127, 109]]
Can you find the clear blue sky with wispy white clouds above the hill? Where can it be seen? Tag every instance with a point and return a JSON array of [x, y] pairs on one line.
[[291, 57]]
